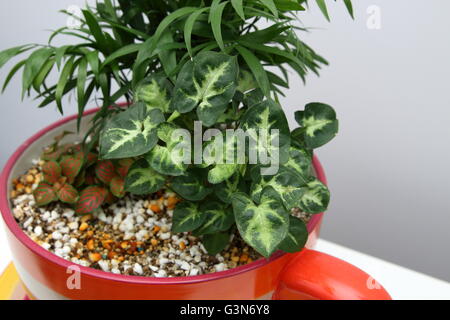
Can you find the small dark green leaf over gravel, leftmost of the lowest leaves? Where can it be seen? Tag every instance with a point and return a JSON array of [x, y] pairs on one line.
[[187, 217]]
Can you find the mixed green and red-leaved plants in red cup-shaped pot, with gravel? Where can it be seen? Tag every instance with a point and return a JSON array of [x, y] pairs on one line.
[[192, 186]]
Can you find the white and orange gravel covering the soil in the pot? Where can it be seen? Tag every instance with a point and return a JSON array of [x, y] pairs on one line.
[[130, 237]]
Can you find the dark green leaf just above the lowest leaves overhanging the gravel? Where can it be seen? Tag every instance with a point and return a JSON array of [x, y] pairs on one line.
[[190, 186]]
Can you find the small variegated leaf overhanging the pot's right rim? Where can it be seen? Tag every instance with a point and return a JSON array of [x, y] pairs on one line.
[[315, 198]]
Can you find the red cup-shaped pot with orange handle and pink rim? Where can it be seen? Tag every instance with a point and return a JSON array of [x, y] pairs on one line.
[[305, 275]]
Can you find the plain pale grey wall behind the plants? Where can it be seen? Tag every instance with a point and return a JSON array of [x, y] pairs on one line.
[[389, 167]]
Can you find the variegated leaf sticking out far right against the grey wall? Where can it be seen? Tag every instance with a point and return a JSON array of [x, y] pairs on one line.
[[319, 124]]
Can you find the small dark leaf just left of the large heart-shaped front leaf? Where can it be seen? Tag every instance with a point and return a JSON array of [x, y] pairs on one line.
[[218, 218]]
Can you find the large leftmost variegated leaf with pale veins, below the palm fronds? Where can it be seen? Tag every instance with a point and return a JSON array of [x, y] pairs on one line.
[[130, 133]]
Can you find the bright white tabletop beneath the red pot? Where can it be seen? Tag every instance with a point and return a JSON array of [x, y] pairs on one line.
[[400, 282]]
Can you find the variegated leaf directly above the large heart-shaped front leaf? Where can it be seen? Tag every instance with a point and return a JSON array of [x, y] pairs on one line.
[[287, 186]]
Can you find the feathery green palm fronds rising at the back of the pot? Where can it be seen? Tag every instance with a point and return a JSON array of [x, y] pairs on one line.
[[120, 42]]
